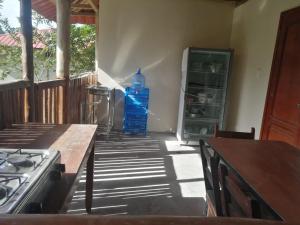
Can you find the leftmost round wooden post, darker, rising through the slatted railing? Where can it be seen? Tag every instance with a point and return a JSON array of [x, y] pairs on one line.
[[27, 54]]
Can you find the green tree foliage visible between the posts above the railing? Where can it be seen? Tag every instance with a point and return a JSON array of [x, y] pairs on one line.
[[82, 49]]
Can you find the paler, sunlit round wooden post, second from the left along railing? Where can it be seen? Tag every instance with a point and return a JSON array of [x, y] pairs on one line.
[[63, 10]]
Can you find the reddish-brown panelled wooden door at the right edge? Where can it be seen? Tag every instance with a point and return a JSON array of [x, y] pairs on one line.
[[282, 110]]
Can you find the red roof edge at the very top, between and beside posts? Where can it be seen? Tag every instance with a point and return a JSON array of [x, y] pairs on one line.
[[48, 9]]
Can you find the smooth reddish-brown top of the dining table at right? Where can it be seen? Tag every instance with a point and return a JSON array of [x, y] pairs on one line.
[[270, 168]]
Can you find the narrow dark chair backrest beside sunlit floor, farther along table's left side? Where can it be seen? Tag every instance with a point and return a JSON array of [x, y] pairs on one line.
[[210, 171]]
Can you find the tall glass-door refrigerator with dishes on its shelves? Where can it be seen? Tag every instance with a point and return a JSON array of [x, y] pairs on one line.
[[203, 91]]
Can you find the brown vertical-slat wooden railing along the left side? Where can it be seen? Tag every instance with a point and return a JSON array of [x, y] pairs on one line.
[[50, 99]]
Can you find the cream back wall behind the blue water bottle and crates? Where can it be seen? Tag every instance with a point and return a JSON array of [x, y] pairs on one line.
[[152, 34]]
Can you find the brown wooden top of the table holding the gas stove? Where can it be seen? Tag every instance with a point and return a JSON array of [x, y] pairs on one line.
[[71, 140]]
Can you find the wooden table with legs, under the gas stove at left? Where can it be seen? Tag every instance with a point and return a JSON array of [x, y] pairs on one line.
[[76, 145]]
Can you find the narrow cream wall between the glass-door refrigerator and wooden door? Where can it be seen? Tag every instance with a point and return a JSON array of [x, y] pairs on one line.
[[253, 38]]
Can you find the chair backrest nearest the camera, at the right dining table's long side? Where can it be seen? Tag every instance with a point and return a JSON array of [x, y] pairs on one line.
[[237, 201]]
